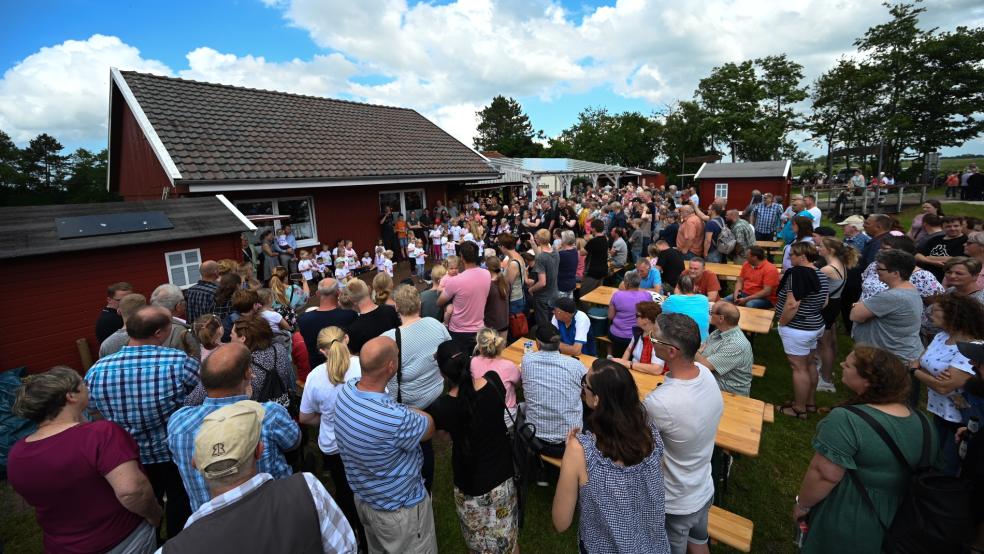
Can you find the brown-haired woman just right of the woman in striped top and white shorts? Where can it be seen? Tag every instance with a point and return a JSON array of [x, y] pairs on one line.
[[839, 258]]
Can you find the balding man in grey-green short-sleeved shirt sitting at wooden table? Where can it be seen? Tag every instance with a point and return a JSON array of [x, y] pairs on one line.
[[727, 352]]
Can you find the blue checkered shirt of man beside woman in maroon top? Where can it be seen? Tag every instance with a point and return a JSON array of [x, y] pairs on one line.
[[139, 388]]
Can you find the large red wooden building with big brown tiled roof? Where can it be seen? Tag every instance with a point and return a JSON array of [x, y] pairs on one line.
[[331, 165]]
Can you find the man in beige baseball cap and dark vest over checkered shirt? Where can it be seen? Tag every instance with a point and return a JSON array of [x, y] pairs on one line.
[[250, 511]]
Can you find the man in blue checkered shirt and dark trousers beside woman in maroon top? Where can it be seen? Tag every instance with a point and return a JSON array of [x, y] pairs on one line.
[[139, 388]]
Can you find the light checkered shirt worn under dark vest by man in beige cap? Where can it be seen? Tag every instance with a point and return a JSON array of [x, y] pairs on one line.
[[336, 534]]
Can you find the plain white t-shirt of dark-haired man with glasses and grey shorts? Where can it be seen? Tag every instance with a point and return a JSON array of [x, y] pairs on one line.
[[687, 413]]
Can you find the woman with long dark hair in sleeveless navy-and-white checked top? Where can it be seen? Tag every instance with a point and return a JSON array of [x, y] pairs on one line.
[[615, 473]]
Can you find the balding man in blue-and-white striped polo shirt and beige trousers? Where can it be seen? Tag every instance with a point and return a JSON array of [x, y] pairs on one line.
[[379, 441]]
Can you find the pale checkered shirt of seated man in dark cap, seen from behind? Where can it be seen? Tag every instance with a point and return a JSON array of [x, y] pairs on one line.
[[552, 389]]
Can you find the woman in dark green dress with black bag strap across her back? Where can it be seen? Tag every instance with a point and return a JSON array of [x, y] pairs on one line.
[[840, 520]]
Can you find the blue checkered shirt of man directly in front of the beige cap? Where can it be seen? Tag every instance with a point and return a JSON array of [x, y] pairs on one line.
[[278, 433]]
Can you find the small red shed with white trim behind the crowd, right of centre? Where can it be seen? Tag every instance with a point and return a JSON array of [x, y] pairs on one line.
[[737, 181]]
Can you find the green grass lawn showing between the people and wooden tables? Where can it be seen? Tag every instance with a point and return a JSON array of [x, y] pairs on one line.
[[761, 488]]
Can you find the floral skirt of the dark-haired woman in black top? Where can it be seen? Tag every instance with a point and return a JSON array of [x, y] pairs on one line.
[[490, 522]]
